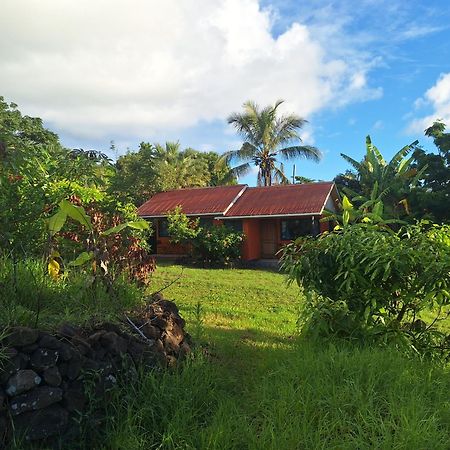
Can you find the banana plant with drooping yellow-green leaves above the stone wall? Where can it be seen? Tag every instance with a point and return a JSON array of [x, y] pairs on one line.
[[93, 253]]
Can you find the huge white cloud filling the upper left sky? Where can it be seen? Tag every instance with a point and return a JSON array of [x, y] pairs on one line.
[[114, 68]]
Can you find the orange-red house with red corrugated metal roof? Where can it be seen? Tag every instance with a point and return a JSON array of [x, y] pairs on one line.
[[269, 216]]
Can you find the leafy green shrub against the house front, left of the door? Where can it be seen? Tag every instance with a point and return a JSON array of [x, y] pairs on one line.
[[215, 243]]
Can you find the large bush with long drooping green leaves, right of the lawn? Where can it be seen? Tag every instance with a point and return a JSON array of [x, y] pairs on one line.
[[371, 283]]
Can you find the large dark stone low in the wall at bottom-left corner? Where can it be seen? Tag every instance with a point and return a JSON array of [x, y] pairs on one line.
[[42, 423]]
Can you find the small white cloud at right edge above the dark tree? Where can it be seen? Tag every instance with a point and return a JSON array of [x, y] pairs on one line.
[[438, 98]]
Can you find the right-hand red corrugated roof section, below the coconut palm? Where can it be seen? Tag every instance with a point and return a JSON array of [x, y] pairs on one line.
[[282, 200]]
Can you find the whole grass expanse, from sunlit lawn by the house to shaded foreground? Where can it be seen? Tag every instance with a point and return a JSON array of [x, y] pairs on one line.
[[260, 387]]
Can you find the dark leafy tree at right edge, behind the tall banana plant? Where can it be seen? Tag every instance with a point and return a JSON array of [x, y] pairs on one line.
[[432, 197]]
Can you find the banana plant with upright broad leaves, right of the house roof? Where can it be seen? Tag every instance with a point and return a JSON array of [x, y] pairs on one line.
[[392, 181]]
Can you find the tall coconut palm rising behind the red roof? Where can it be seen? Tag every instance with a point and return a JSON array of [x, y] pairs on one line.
[[267, 138]]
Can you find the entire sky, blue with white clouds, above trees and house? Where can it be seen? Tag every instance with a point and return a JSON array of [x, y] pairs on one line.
[[153, 71]]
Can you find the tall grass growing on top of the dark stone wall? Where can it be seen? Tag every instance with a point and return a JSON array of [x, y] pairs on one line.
[[30, 297]]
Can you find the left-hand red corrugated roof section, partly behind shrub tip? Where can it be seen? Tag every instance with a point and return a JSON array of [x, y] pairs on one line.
[[211, 200]]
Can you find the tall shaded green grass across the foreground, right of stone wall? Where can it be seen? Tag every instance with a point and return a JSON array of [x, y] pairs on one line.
[[305, 398]]
